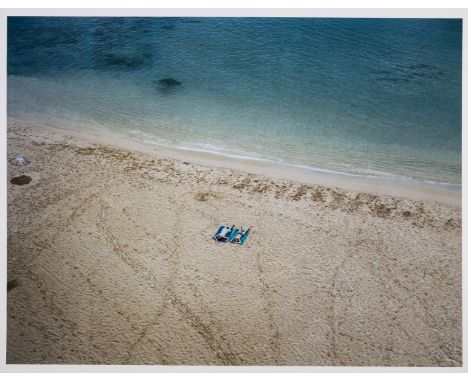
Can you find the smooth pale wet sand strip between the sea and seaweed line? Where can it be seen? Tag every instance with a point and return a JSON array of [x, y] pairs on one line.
[[393, 187]]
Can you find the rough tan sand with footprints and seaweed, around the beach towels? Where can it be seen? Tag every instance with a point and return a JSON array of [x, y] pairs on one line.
[[110, 262]]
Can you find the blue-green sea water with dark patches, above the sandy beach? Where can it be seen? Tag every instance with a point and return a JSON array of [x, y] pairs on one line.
[[362, 96]]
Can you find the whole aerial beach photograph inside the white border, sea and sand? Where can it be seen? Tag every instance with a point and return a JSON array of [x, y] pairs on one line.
[[234, 191]]
